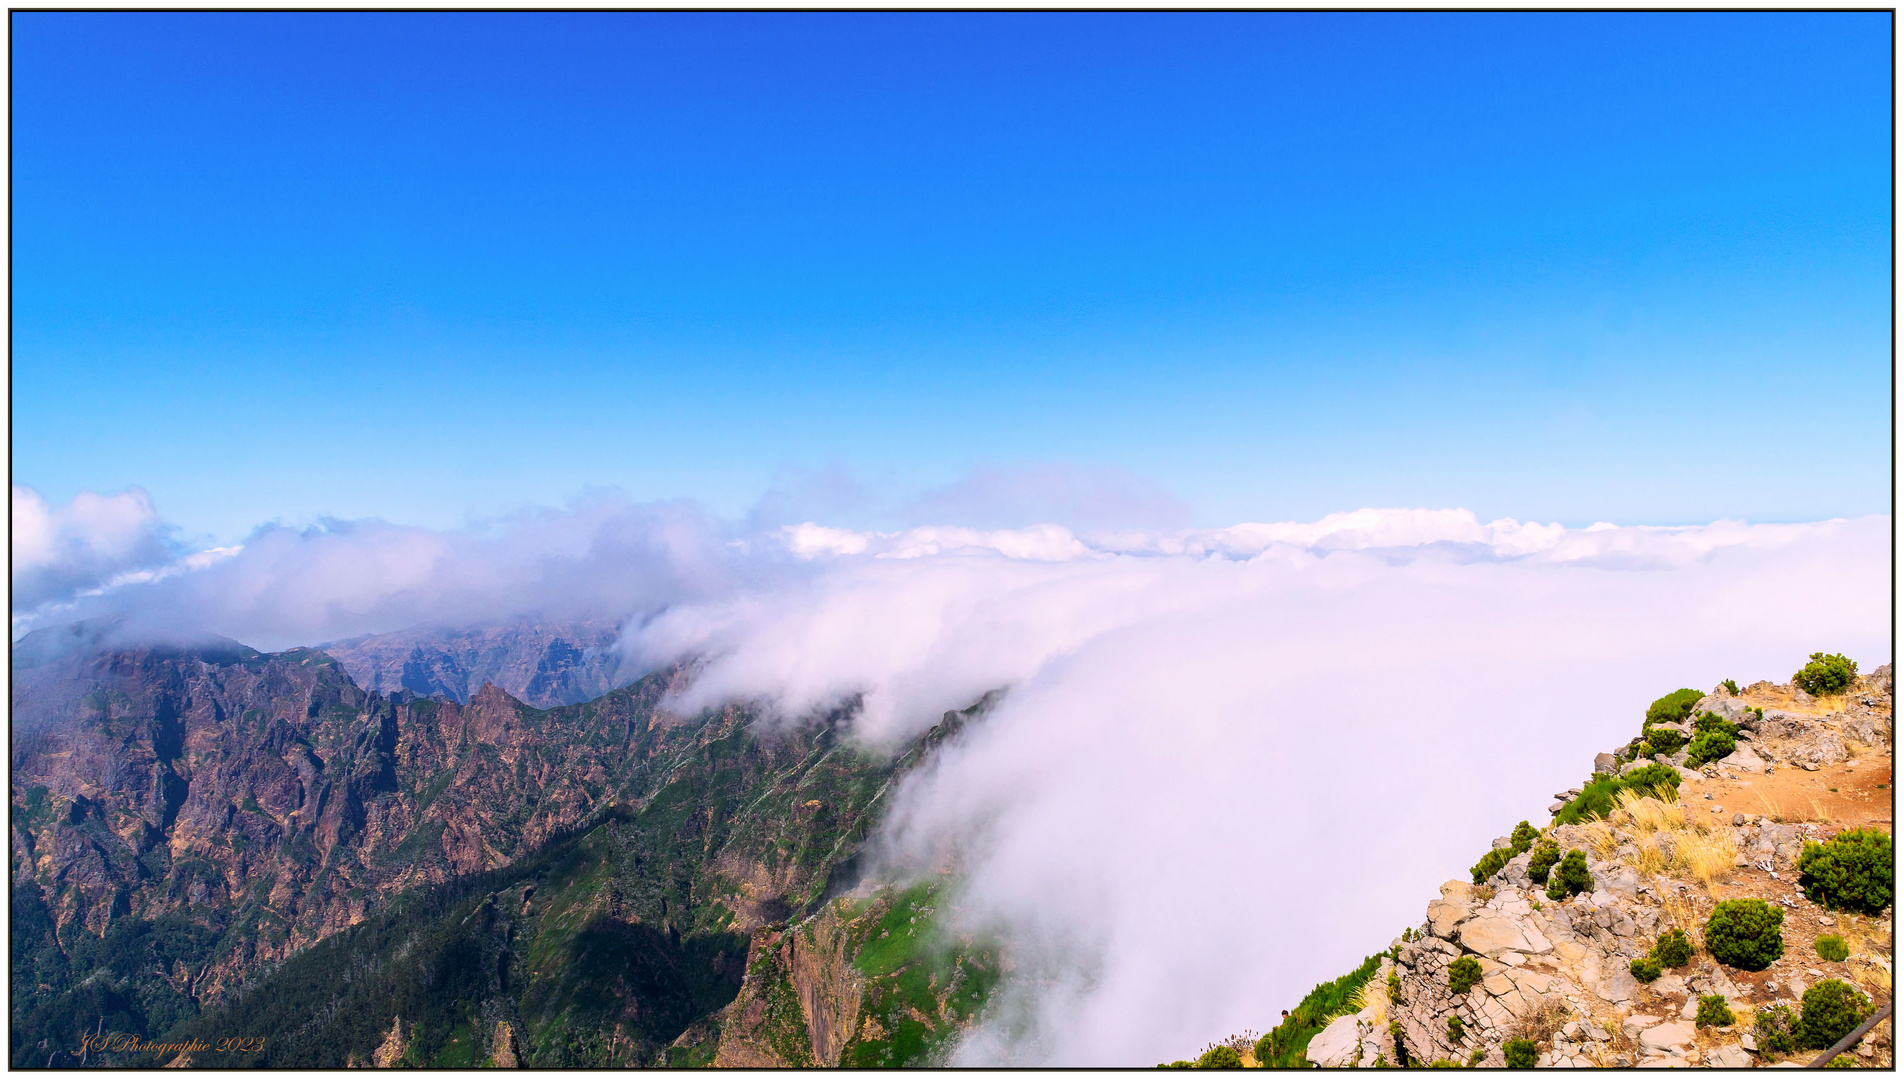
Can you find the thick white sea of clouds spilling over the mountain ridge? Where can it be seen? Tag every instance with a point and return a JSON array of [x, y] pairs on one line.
[[1231, 763]]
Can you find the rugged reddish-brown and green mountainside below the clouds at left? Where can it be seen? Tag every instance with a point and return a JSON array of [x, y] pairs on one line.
[[218, 841]]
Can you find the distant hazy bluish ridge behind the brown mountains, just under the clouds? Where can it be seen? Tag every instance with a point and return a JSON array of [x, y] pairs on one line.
[[540, 664]]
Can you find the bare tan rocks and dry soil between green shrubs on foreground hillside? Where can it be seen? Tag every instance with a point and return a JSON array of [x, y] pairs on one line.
[[1557, 972]]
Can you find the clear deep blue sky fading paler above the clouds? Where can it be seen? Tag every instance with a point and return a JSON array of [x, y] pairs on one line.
[[1560, 268]]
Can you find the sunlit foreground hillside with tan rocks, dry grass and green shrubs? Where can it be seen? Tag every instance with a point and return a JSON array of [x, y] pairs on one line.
[[1507, 959]]
